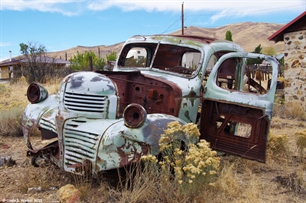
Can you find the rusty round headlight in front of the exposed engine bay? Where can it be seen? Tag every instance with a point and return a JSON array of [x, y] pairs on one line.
[[134, 115]]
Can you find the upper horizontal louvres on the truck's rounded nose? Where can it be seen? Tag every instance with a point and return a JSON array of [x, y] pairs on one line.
[[85, 102]]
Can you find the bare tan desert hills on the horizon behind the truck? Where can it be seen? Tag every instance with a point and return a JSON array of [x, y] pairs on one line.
[[247, 34]]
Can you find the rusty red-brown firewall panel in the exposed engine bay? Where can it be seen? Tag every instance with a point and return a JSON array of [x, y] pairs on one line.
[[156, 95]]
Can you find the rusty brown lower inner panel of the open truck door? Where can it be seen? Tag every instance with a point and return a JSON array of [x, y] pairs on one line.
[[218, 123]]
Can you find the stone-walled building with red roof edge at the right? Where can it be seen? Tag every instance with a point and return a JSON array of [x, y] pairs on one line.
[[293, 35]]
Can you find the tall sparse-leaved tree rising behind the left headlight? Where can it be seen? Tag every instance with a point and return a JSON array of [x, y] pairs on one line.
[[36, 65]]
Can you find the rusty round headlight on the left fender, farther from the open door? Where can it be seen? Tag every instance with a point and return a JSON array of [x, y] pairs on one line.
[[36, 93]]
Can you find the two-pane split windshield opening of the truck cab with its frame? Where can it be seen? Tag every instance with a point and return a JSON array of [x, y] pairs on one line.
[[162, 57]]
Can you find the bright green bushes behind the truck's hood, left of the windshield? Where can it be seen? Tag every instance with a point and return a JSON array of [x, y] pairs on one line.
[[81, 61]]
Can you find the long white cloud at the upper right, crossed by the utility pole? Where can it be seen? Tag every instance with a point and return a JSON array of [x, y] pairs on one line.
[[194, 5]]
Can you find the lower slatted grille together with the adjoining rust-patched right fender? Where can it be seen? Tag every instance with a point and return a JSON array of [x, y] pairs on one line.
[[109, 144]]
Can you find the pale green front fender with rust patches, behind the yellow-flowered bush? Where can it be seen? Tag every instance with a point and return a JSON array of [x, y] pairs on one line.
[[121, 146]]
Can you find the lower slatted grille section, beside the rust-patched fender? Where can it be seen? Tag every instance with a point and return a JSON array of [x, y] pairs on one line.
[[79, 145]]
